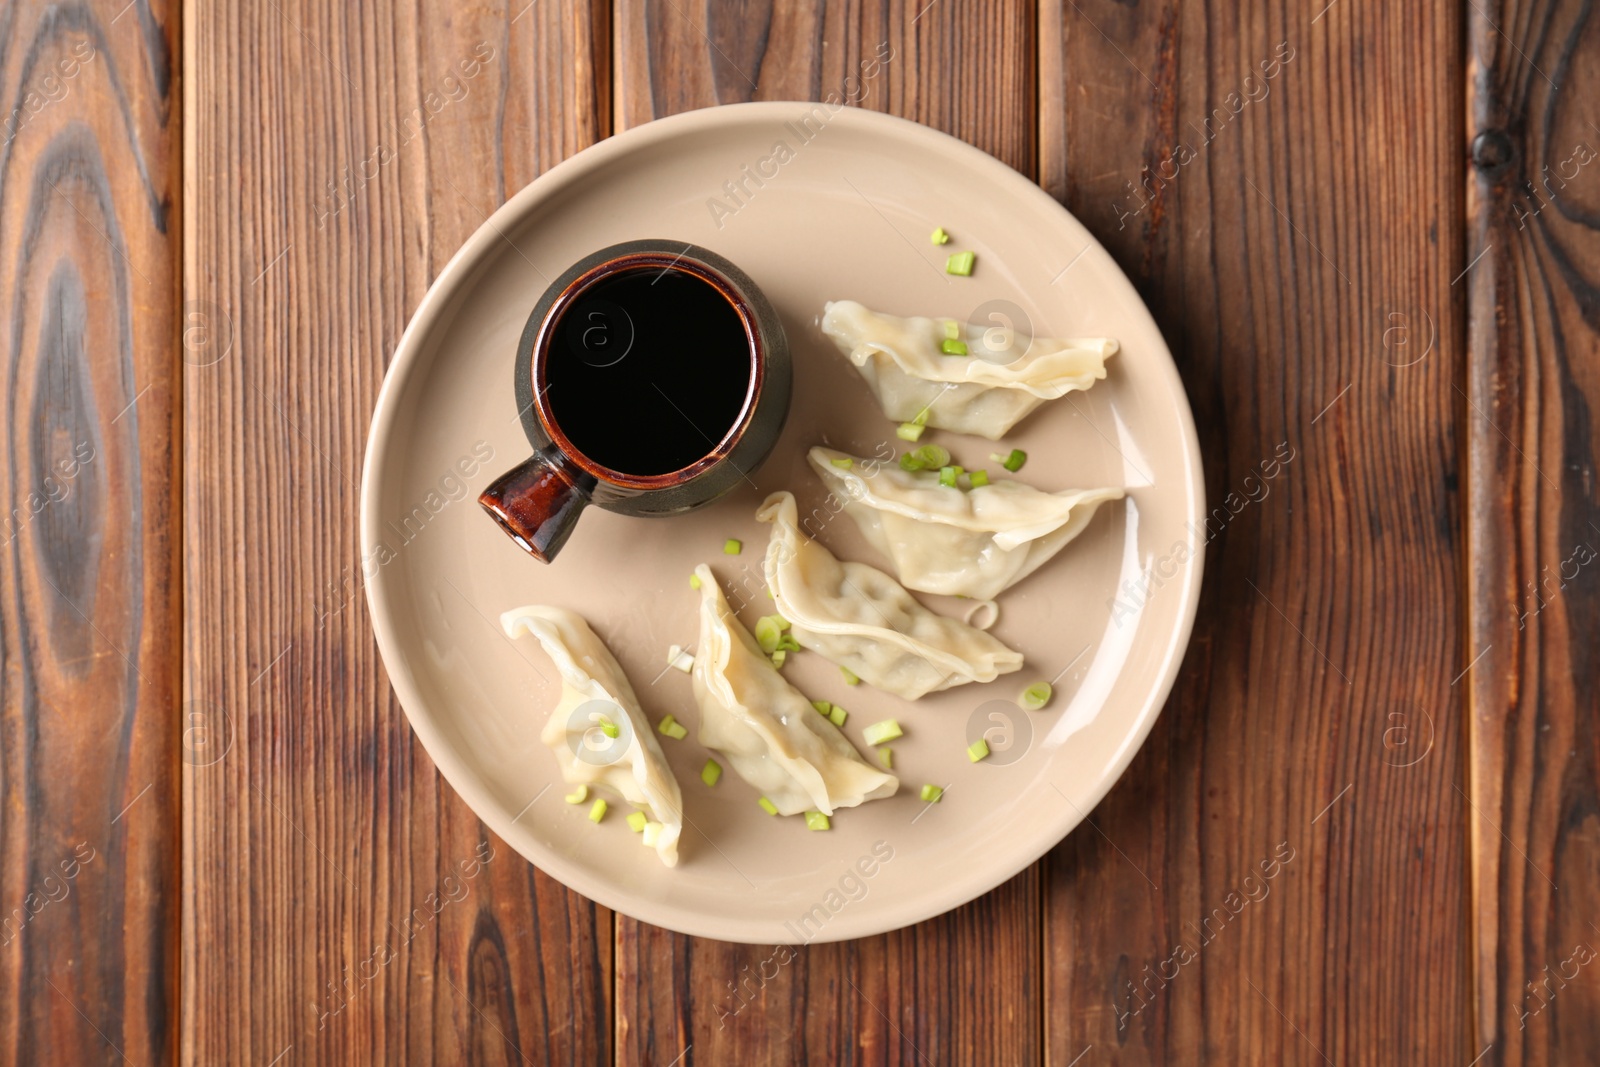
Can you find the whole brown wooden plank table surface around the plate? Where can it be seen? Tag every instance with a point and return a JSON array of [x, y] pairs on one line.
[[1369, 233]]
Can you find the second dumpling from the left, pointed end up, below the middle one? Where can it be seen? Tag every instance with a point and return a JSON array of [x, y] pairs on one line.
[[767, 730]]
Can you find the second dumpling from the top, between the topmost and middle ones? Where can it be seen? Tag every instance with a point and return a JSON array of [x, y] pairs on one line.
[[961, 543]]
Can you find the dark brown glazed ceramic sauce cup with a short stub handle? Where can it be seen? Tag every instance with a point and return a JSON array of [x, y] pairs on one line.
[[695, 414]]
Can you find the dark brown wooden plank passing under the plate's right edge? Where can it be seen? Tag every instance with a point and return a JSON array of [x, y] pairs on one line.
[[1278, 877]]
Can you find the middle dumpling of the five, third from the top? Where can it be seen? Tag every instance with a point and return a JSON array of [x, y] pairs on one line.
[[863, 620]]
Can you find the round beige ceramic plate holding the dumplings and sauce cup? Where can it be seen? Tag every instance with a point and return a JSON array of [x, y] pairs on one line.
[[844, 210]]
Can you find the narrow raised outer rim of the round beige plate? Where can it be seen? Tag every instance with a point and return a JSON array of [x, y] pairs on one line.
[[375, 466]]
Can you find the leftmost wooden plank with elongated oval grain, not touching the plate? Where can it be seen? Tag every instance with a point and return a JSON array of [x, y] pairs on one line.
[[89, 625]]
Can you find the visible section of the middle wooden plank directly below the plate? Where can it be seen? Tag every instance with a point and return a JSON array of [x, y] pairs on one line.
[[961, 989]]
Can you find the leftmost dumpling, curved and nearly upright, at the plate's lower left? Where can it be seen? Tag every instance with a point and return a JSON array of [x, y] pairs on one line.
[[594, 689]]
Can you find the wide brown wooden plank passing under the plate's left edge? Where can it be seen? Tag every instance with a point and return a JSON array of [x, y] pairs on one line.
[[342, 905]]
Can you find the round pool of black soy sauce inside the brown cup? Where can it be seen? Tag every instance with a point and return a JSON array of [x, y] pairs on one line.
[[649, 370]]
